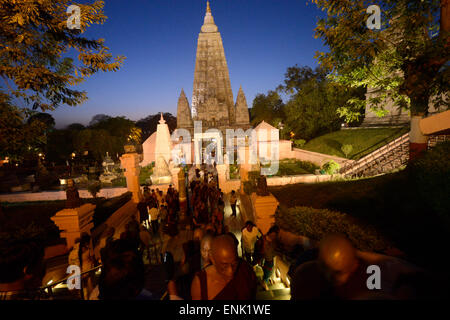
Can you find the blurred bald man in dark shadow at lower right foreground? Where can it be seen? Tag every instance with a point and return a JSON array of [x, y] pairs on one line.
[[341, 273]]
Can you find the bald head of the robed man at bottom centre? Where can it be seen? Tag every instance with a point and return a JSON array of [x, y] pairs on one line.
[[224, 256]]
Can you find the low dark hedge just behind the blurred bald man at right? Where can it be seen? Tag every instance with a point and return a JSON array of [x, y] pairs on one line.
[[317, 223]]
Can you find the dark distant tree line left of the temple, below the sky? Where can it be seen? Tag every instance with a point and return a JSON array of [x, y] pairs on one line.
[[84, 143]]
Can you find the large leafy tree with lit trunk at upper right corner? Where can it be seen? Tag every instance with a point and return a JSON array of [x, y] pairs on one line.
[[404, 61]]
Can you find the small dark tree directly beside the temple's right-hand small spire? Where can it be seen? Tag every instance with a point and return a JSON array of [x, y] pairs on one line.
[[267, 107]]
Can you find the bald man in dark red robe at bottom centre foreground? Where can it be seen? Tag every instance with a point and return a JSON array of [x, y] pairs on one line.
[[228, 278]]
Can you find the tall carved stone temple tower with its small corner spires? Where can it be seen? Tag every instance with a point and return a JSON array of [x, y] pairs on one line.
[[212, 98]]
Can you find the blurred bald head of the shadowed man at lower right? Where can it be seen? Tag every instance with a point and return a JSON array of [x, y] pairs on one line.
[[338, 256]]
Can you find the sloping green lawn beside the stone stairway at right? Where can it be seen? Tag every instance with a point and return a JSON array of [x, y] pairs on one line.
[[363, 141]]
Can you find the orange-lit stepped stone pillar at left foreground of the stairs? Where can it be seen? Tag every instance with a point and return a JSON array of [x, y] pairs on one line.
[[73, 222]]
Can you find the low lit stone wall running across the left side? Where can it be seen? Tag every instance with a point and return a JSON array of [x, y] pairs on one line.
[[58, 195]]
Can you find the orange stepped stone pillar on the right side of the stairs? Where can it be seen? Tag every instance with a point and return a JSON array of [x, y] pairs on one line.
[[264, 208]]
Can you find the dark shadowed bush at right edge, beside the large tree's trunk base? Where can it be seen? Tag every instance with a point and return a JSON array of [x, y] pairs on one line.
[[431, 177]]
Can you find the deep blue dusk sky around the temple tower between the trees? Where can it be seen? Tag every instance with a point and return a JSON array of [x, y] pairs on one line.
[[261, 39]]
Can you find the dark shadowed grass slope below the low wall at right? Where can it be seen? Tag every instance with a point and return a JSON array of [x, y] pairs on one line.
[[389, 203]]
